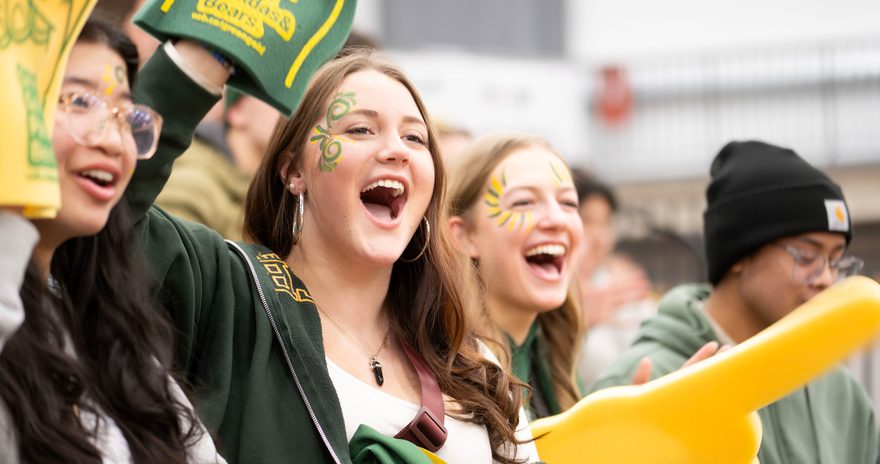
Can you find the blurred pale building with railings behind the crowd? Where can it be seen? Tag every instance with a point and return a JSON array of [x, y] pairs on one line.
[[645, 93]]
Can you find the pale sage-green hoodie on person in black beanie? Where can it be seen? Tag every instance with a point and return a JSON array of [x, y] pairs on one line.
[[830, 421]]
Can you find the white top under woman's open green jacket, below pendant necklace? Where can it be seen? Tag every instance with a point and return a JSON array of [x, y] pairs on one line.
[[387, 414]]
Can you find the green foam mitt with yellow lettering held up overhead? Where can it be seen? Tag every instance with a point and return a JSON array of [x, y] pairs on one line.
[[274, 45]]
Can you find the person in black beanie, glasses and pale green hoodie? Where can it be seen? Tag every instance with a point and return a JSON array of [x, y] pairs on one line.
[[776, 231]]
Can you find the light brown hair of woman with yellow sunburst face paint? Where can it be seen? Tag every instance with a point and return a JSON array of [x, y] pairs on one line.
[[561, 327]]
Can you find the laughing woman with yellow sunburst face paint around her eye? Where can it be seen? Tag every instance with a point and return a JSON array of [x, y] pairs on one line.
[[514, 211]]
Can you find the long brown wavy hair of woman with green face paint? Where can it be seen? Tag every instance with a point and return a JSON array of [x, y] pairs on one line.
[[427, 306]]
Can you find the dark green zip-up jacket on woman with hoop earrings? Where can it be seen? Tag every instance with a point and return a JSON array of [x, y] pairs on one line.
[[249, 335]]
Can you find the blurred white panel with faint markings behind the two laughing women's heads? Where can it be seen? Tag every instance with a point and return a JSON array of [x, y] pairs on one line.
[[486, 93]]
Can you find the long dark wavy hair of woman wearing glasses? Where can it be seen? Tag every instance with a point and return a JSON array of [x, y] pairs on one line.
[[121, 339]]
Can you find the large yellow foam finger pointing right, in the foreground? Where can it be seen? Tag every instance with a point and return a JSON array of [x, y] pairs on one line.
[[706, 412]]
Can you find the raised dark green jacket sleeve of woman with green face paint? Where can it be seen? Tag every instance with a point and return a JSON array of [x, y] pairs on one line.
[[190, 262]]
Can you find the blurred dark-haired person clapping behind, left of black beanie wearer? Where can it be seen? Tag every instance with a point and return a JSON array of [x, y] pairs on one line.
[[615, 292]]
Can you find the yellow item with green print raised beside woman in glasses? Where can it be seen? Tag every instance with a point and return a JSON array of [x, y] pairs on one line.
[[35, 40]]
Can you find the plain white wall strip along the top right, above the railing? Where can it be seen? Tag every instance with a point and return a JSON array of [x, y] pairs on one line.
[[621, 30]]
